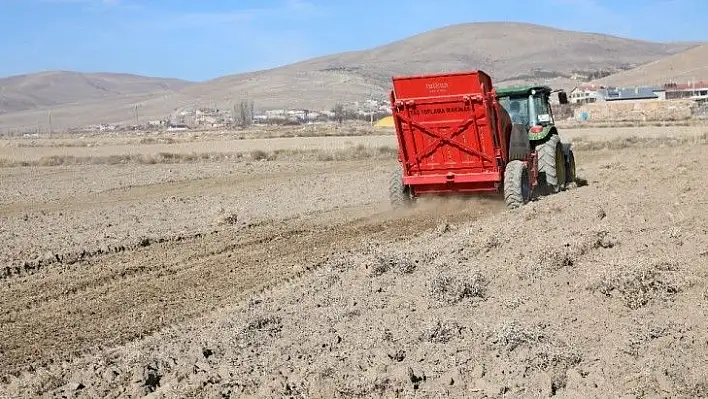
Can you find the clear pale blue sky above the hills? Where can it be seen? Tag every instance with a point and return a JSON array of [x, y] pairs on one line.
[[200, 40]]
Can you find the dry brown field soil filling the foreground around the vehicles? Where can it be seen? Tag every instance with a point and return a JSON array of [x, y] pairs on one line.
[[298, 281]]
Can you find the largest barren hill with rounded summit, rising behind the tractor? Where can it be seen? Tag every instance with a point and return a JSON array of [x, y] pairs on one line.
[[508, 51]]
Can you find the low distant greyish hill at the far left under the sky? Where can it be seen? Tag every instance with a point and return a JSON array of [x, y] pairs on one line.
[[56, 88]]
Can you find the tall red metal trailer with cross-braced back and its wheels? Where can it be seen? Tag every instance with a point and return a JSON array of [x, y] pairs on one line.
[[455, 138]]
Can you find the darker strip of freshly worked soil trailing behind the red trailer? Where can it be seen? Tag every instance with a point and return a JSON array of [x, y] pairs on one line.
[[112, 299]]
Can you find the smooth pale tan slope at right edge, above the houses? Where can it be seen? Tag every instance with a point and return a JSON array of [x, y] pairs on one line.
[[690, 65]]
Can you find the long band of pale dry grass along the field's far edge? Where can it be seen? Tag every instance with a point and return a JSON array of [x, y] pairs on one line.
[[272, 150]]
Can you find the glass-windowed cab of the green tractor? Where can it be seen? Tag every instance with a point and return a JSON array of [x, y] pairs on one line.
[[529, 105]]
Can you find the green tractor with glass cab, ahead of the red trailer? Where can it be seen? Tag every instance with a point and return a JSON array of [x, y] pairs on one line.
[[533, 129]]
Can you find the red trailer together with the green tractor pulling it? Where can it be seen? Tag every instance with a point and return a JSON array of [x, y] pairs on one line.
[[458, 135]]
